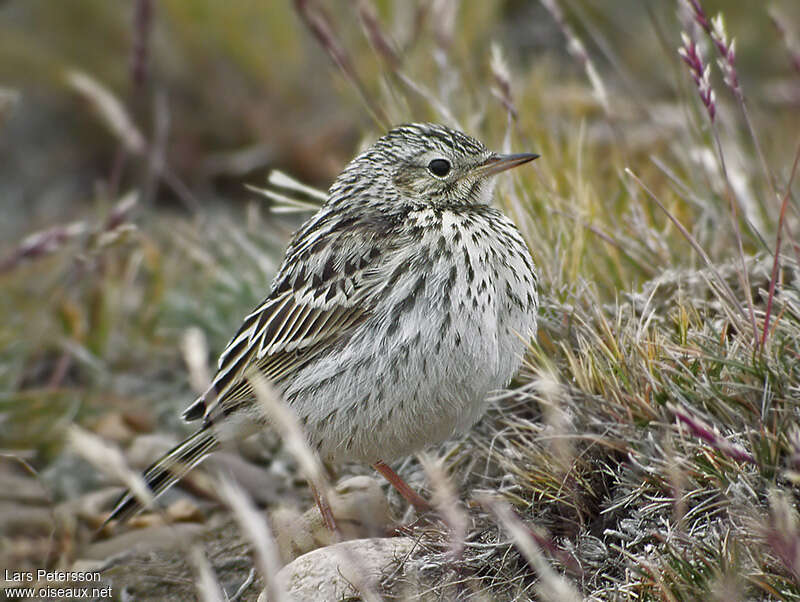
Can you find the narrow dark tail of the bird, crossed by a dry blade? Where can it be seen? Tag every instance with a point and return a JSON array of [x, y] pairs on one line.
[[171, 467]]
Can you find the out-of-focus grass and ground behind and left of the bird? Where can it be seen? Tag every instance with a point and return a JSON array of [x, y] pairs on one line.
[[131, 246]]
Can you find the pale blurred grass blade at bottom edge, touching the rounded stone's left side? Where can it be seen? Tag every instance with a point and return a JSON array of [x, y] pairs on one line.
[[254, 526]]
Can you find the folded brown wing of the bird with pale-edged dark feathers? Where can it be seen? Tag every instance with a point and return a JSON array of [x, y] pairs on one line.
[[319, 296]]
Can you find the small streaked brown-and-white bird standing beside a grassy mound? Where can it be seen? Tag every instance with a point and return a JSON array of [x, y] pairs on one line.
[[399, 308]]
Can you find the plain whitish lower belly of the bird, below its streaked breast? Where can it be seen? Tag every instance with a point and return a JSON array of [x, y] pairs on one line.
[[389, 397]]
